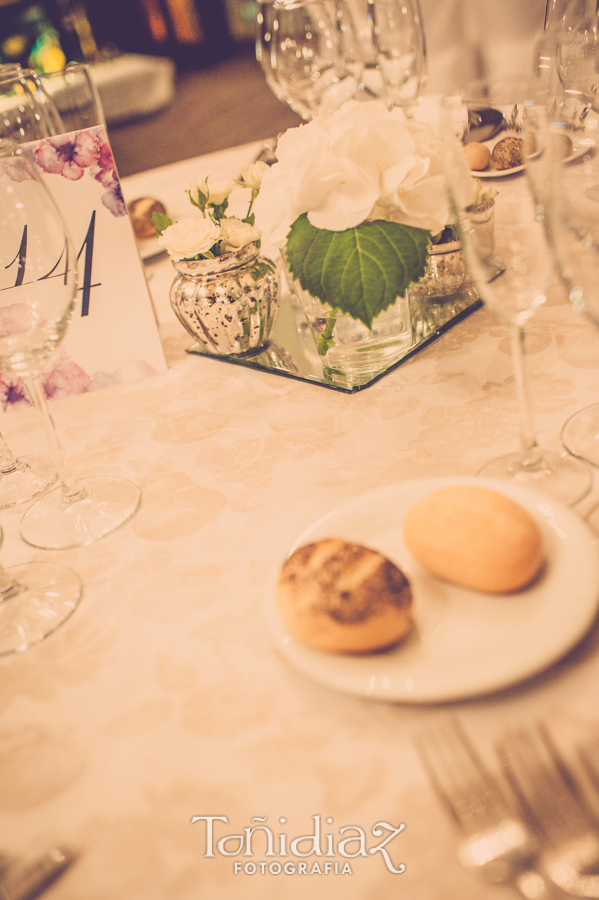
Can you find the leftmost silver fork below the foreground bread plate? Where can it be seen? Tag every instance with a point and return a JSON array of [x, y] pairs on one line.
[[496, 844]]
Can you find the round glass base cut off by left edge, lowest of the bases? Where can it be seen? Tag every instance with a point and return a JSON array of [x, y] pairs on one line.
[[48, 594]]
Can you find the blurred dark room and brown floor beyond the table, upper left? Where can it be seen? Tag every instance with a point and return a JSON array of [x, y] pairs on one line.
[[177, 78]]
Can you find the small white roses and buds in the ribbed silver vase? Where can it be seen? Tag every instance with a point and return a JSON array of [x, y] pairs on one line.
[[211, 232]]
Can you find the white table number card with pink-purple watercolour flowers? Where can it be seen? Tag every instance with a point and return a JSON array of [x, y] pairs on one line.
[[112, 336]]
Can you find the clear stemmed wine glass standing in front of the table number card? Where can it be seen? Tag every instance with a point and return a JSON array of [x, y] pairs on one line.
[[37, 292]]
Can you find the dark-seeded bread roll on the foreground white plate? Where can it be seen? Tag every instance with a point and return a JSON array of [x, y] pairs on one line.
[[344, 598]]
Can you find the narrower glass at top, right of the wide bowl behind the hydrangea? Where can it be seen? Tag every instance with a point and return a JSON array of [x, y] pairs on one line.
[[400, 48]]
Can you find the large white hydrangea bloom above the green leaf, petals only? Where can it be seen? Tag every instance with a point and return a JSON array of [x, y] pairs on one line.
[[359, 162]]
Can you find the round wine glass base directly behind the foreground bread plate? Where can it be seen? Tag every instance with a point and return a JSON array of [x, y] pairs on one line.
[[559, 476]]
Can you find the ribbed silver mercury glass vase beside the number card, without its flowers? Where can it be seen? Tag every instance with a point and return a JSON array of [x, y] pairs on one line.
[[229, 304]]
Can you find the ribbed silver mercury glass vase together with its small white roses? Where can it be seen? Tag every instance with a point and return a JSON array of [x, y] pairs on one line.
[[225, 293]]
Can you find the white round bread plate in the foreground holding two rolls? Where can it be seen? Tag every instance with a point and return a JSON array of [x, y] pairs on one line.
[[464, 643]]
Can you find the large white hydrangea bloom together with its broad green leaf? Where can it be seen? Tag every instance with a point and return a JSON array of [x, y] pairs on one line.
[[354, 200]]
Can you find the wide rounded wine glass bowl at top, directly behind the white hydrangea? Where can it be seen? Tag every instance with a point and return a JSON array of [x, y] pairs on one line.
[[314, 57]]
